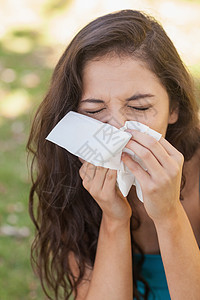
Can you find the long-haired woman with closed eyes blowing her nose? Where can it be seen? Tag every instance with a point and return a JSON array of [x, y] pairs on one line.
[[92, 241]]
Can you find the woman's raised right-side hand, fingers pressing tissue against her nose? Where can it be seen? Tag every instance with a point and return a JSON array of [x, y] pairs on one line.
[[161, 182]]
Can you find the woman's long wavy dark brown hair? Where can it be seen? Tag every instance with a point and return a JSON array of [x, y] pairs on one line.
[[66, 217]]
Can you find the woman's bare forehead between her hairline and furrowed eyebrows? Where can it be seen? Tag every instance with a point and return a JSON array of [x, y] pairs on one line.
[[116, 74]]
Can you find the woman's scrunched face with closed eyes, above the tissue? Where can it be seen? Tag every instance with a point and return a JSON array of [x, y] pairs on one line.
[[117, 89]]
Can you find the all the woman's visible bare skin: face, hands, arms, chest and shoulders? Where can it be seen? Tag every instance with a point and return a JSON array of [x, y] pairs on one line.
[[164, 218]]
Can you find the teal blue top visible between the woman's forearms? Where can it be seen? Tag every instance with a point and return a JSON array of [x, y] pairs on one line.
[[153, 271]]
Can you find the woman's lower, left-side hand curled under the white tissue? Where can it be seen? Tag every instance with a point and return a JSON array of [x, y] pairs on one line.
[[101, 184]]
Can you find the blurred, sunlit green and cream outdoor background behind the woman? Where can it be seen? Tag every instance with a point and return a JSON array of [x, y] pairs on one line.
[[33, 34]]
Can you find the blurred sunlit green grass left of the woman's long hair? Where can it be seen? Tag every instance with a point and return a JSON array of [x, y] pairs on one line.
[[17, 280]]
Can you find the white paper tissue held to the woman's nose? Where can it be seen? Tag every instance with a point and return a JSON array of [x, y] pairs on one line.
[[100, 144]]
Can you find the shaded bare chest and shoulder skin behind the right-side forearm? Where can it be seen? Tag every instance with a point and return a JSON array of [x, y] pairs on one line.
[[146, 235]]
